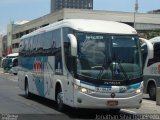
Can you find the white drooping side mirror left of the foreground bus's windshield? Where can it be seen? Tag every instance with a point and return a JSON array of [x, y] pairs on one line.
[[73, 41]]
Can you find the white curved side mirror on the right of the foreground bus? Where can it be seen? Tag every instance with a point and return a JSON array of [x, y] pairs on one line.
[[149, 46]]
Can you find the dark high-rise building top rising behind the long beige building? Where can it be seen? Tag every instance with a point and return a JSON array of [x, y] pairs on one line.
[[76, 4]]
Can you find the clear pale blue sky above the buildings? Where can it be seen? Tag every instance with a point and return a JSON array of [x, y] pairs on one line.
[[18, 10]]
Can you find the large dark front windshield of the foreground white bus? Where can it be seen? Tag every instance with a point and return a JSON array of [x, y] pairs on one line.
[[108, 57]]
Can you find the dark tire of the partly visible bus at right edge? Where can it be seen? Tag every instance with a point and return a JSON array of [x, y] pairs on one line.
[[152, 91]]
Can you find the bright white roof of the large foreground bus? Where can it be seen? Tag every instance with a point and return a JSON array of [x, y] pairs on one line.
[[86, 25]]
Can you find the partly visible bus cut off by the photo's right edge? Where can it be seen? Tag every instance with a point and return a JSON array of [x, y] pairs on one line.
[[152, 68]]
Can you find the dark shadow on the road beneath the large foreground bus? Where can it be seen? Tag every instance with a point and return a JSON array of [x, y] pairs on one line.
[[72, 113]]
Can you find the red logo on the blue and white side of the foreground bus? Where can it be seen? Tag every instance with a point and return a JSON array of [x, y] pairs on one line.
[[37, 68]]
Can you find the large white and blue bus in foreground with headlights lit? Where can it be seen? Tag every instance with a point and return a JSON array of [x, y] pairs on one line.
[[83, 64]]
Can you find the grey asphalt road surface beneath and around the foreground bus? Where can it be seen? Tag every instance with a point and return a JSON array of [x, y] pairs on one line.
[[14, 105]]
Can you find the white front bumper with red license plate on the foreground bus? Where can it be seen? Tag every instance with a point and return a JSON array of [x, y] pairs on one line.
[[82, 100]]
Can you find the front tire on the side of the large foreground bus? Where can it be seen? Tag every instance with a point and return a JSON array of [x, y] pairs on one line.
[[59, 100]]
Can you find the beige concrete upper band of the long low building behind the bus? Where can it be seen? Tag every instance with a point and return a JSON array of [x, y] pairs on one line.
[[144, 22]]
